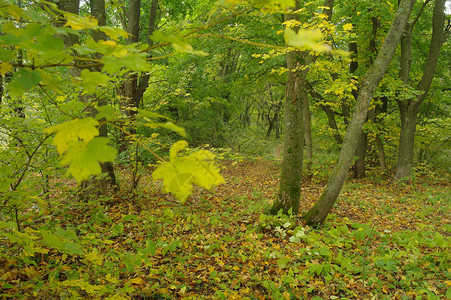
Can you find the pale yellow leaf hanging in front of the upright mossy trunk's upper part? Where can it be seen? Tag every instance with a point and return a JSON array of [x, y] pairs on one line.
[[306, 39]]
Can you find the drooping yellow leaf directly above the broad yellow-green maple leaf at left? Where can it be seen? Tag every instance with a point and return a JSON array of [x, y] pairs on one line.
[[74, 130]]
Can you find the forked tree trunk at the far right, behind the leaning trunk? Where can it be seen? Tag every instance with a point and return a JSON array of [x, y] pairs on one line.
[[409, 107]]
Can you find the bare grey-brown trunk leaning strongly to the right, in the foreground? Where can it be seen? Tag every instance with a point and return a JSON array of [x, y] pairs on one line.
[[369, 83]]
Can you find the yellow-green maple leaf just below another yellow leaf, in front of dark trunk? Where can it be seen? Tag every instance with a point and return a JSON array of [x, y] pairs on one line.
[[84, 157]]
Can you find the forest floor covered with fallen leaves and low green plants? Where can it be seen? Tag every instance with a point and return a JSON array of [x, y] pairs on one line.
[[381, 241]]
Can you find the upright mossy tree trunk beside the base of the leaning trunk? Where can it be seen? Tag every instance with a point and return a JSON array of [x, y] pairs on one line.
[[291, 173]]
